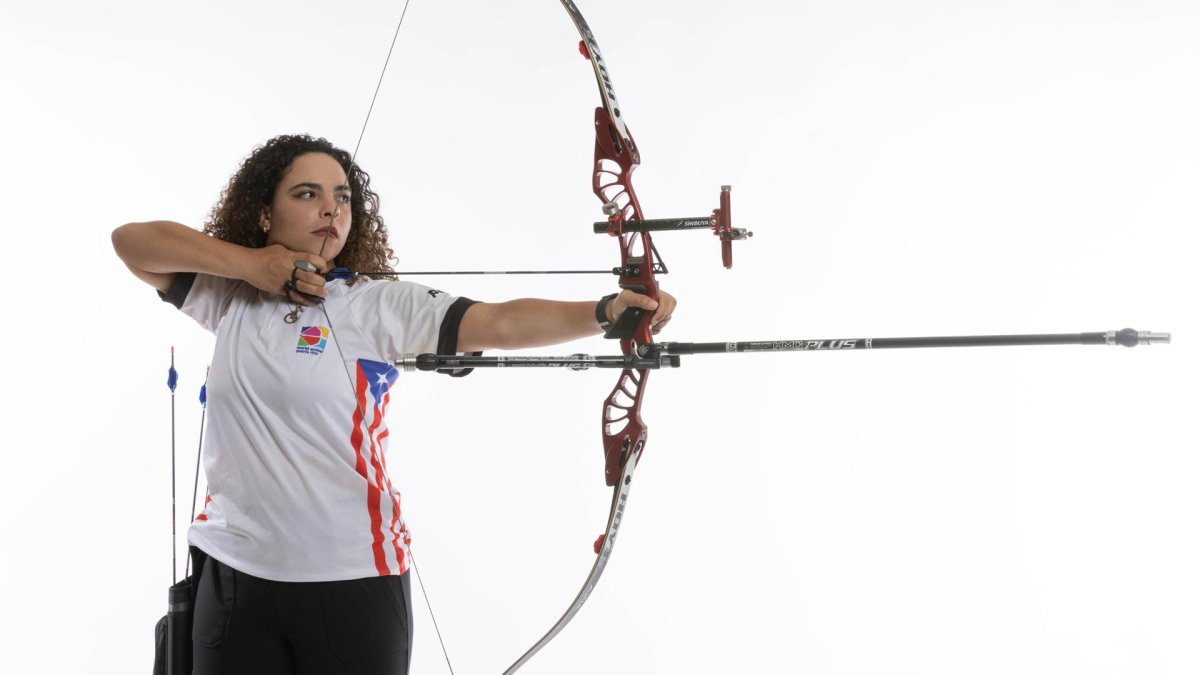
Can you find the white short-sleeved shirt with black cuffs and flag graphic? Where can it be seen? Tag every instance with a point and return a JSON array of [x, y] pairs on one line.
[[296, 457]]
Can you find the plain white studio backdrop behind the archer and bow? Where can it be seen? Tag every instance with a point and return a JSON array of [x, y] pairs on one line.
[[909, 169]]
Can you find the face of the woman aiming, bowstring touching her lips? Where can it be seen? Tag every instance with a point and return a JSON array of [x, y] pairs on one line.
[[302, 216]]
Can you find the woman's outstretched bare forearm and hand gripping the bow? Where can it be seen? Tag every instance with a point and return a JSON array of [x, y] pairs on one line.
[[531, 322]]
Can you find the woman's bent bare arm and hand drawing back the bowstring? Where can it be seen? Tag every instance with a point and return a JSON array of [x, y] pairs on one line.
[[158, 250]]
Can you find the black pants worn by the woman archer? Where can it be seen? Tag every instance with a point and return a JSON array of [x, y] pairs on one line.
[[247, 625]]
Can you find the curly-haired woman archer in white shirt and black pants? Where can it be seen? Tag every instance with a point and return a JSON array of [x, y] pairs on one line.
[[302, 547]]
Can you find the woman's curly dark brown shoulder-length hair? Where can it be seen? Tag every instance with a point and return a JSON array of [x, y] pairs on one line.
[[236, 217]]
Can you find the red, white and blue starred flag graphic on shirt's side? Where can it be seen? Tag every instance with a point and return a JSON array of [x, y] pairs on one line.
[[389, 536]]
